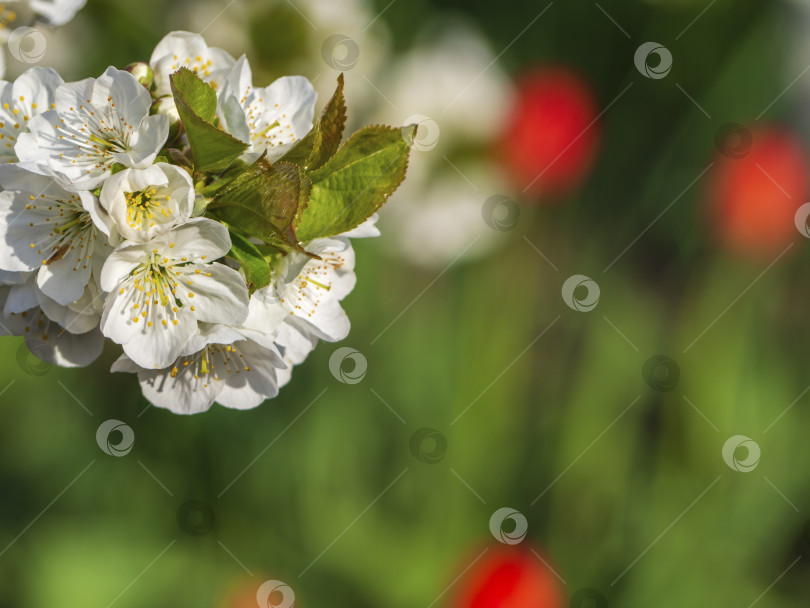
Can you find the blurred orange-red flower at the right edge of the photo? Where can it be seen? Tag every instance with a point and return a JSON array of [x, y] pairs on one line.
[[758, 182]]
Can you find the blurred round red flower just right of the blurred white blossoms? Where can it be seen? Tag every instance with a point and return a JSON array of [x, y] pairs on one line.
[[549, 140]]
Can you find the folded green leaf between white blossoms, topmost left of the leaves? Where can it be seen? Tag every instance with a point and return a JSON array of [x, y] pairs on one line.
[[196, 101]]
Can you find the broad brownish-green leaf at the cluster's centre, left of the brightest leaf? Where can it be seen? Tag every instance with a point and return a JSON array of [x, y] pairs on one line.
[[263, 201]]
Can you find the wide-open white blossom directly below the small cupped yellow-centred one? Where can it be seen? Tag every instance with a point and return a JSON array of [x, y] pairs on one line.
[[159, 290]]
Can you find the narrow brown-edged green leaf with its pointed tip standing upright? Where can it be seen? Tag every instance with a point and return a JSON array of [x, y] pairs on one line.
[[321, 143]]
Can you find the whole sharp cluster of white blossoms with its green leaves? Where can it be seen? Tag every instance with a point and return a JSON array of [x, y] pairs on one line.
[[120, 219]]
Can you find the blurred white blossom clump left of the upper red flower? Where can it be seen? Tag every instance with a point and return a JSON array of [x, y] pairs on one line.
[[451, 78]]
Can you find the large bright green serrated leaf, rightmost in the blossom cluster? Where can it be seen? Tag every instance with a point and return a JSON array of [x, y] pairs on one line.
[[356, 181]]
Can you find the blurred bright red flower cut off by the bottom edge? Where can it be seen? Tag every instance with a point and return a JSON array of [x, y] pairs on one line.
[[509, 577]]
